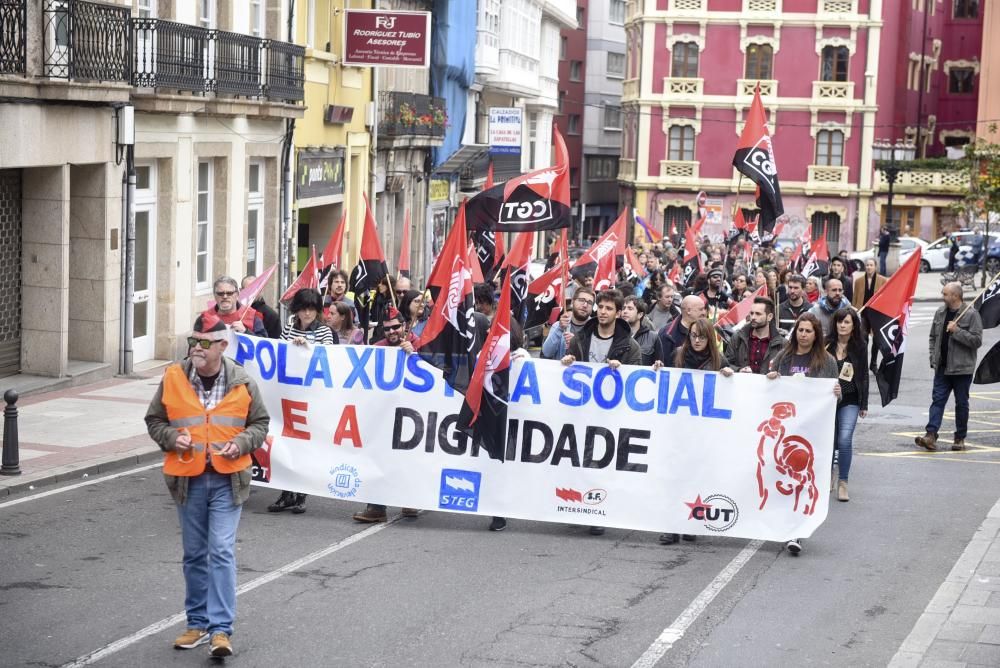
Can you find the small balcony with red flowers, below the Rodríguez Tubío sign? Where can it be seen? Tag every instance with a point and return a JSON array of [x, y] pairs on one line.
[[411, 120]]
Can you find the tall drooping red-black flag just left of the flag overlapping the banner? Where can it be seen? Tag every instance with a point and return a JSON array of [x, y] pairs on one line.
[[449, 337]]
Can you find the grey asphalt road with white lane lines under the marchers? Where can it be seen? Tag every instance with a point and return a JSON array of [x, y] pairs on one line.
[[97, 569]]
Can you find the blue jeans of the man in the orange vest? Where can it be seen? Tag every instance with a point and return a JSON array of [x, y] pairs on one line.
[[208, 531]]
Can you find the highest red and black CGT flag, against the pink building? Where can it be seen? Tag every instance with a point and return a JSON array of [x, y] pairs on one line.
[[755, 159]]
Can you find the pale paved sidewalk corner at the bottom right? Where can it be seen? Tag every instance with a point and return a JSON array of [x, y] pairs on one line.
[[961, 625]]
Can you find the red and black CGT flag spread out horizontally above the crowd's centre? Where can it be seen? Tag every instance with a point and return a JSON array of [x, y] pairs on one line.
[[538, 200]]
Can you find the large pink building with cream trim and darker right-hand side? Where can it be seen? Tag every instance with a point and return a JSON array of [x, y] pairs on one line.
[[835, 77]]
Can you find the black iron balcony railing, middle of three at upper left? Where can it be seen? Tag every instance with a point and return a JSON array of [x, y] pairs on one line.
[[87, 41]]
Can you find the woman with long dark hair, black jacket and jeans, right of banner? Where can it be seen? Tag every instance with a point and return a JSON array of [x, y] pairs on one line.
[[849, 351]]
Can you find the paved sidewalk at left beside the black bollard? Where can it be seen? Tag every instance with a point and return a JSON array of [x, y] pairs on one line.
[[68, 434]]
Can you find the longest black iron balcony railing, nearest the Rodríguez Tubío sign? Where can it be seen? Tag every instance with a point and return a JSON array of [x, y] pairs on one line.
[[177, 56]]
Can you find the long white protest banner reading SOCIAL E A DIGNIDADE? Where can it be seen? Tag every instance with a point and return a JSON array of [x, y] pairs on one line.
[[675, 450]]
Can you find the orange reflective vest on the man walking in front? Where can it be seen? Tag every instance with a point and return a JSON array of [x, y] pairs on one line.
[[208, 428]]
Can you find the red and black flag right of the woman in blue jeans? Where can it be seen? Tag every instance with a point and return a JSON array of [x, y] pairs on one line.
[[888, 313]]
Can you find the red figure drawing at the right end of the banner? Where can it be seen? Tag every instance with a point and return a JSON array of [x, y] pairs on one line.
[[785, 462]]
